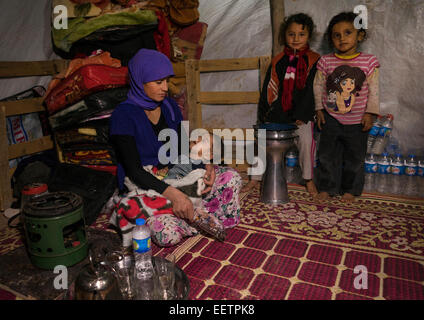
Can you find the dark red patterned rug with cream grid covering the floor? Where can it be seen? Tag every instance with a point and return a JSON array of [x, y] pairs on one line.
[[303, 250]]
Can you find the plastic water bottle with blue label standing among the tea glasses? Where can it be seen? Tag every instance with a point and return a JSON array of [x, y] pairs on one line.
[[143, 271]]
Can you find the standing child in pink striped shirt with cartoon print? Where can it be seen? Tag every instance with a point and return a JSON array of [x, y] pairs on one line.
[[346, 91]]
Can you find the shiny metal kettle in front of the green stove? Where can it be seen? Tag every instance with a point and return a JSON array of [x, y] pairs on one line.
[[96, 282]]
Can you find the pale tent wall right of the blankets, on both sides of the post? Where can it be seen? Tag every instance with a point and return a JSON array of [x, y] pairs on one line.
[[396, 36]]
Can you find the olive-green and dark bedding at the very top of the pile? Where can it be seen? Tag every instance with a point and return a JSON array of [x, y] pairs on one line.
[[110, 26]]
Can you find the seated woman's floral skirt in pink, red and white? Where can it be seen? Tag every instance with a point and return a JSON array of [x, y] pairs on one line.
[[222, 203]]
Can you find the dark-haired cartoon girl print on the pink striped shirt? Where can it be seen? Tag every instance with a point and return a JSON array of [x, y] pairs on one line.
[[343, 86]]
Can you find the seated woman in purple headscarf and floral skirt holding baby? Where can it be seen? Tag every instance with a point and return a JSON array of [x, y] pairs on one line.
[[134, 128]]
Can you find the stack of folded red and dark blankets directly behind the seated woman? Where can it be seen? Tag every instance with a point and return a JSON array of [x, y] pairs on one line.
[[80, 101]]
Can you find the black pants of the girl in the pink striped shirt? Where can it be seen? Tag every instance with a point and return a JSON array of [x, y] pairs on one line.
[[341, 153]]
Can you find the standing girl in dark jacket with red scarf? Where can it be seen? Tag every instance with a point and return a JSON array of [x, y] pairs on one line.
[[287, 94]]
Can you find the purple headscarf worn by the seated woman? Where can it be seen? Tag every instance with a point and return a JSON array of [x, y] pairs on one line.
[[146, 66]]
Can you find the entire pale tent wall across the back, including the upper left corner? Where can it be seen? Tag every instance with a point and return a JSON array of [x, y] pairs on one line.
[[242, 28]]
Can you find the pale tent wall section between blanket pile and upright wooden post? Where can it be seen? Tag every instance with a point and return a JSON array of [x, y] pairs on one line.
[[237, 29]]
